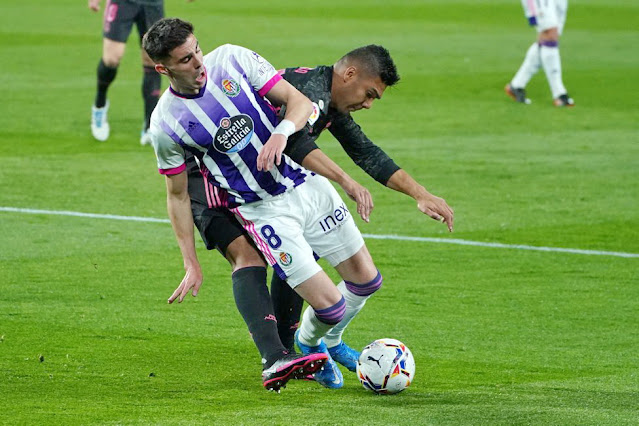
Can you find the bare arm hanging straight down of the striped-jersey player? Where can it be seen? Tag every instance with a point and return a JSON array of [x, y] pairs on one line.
[[179, 208]]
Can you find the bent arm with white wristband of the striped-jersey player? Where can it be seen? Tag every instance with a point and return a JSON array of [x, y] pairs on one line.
[[298, 110]]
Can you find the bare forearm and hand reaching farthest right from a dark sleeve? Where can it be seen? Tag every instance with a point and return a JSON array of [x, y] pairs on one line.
[[427, 203]]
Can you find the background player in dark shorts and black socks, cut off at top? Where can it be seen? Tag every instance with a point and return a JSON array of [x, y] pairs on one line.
[[119, 17]]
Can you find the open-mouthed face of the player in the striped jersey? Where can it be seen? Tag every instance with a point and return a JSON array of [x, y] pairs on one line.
[[185, 67]]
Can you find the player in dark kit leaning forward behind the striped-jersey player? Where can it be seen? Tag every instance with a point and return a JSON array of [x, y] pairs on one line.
[[335, 91]]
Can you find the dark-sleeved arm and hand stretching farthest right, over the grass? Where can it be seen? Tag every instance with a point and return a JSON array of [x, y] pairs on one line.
[[374, 161]]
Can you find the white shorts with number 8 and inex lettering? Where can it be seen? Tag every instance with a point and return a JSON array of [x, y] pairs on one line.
[[291, 228]]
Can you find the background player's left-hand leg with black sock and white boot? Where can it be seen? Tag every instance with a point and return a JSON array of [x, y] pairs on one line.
[[112, 52]]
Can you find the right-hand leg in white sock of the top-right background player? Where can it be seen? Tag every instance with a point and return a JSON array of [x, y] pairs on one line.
[[549, 27]]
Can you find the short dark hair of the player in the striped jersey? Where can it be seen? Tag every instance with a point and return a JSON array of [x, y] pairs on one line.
[[164, 36]]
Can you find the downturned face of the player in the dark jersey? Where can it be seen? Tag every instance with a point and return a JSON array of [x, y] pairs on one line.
[[358, 92]]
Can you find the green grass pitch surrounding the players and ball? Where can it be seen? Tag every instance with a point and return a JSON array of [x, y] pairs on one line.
[[499, 336]]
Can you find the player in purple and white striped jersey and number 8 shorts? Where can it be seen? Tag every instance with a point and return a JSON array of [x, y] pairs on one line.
[[214, 109]]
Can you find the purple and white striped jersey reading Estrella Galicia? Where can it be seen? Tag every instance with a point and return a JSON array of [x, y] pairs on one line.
[[225, 125]]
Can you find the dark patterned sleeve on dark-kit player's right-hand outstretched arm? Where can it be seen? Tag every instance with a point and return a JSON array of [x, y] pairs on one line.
[[368, 156]]
